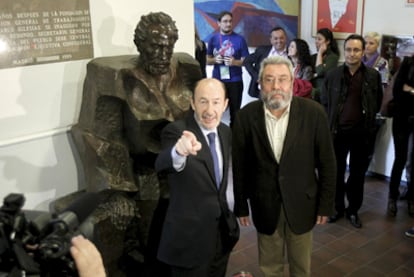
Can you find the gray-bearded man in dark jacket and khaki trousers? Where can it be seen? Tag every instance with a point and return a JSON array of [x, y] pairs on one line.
[[284, 166]]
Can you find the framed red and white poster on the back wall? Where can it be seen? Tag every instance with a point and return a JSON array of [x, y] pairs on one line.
[[342, 17]]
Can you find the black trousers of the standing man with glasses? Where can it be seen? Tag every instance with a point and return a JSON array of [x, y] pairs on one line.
[[356, 142]]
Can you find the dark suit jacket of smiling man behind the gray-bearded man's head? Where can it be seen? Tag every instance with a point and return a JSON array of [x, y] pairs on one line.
[[252, 65]]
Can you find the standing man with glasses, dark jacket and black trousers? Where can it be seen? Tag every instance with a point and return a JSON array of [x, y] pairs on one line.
[[352, 95]]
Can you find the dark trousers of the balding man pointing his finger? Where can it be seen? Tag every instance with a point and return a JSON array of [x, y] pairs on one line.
[[216, 267]]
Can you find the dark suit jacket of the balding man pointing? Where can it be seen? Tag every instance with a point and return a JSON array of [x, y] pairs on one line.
[[195, 208]]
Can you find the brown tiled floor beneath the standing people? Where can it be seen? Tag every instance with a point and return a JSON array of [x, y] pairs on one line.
[[379, 248]]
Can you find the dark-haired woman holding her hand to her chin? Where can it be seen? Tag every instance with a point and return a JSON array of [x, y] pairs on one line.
[[325, 59]]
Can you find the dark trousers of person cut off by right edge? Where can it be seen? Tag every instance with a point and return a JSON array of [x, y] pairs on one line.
[[402, 128]]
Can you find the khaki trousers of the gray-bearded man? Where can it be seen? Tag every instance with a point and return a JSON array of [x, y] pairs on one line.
[[272, 251]]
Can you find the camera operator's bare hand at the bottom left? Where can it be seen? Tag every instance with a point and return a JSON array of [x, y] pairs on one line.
[[87, 258]]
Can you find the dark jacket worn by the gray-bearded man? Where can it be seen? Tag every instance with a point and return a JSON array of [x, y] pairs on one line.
[[304, 180]]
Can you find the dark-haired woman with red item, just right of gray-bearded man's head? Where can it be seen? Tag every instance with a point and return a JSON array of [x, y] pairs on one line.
[[301, 59]]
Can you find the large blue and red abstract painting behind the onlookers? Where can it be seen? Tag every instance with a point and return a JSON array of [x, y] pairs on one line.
[[253, 19]]
